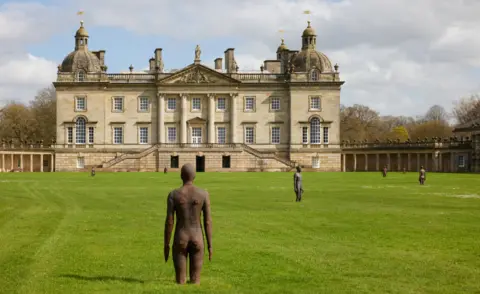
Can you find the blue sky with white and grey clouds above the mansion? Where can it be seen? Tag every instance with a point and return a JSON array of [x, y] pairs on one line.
[[396, 56]]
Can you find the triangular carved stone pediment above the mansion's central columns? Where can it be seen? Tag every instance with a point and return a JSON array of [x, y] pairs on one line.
[[198, 74]]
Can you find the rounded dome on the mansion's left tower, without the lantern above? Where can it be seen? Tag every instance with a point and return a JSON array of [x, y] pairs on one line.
[[81, 60]]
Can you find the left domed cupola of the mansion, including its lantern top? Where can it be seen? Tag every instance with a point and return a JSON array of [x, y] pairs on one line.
[[81, 60]]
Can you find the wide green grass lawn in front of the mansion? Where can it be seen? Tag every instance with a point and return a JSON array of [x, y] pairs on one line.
[[353, 233]]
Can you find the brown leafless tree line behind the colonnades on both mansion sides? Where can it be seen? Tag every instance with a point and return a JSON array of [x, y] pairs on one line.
[[36, 121]]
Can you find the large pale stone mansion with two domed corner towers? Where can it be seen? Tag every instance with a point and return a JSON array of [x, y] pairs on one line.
[[218, 119]]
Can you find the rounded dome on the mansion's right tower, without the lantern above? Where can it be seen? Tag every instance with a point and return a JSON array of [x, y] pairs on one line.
[[306, 60]]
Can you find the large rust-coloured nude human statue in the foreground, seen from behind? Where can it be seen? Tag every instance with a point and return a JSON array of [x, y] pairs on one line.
[[187, 203]]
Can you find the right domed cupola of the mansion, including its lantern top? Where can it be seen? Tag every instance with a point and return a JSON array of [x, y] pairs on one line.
[[308, 58]]
